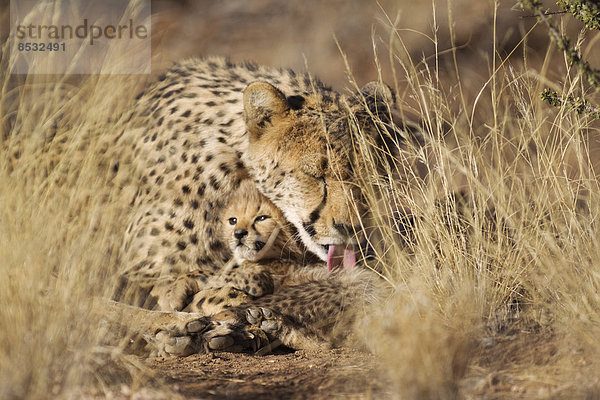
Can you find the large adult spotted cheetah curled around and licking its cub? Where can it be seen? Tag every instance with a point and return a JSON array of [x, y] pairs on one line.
[[193, 137]]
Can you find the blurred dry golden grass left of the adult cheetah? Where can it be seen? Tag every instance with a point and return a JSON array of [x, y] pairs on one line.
[[59, 235]]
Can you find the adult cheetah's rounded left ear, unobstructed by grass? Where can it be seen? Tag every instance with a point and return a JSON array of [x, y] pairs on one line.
[[262, 101]]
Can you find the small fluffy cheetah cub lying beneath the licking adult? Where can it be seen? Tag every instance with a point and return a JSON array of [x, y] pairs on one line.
[[272, 289]]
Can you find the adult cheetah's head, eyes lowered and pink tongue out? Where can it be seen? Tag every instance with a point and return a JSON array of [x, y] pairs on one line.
[[301, 156]]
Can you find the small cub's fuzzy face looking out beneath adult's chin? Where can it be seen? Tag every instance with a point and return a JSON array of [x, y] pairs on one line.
[[253, 226]]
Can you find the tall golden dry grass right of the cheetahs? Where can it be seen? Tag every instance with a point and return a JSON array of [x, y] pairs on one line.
[[503, 247]]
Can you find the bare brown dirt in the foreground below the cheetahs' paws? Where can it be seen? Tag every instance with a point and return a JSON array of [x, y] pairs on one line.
[[339, 373]]
